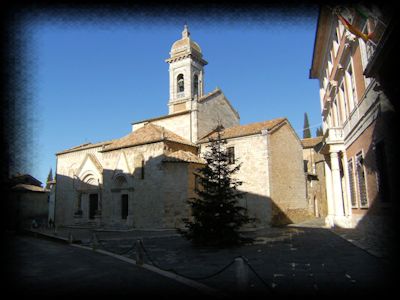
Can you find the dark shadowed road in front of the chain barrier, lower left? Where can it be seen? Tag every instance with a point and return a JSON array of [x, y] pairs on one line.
[[44, 268]]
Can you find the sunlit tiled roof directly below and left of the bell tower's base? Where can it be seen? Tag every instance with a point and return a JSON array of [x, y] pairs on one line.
[[149, 133]]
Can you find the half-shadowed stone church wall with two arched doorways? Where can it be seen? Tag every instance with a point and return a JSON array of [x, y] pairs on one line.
[[155, 201]]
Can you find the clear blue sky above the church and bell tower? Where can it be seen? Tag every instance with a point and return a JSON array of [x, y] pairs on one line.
[[89, 80]]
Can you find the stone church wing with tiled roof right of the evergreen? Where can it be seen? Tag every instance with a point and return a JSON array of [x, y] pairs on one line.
[[272, 170]]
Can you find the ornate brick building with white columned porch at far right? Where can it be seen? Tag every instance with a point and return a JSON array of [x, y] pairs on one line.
[[357, 115]]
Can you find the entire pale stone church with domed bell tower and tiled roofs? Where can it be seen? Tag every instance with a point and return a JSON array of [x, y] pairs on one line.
[[143, 179]]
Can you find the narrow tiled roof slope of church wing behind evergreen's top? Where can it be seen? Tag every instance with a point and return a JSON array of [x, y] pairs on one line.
[[244, 130]]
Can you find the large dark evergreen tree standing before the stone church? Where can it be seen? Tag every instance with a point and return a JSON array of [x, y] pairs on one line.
[[216, 215]]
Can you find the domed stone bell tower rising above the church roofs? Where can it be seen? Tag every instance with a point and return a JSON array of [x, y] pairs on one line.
[[186, 73]]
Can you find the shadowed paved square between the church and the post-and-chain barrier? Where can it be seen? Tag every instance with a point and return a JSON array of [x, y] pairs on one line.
[[306, 259]]
